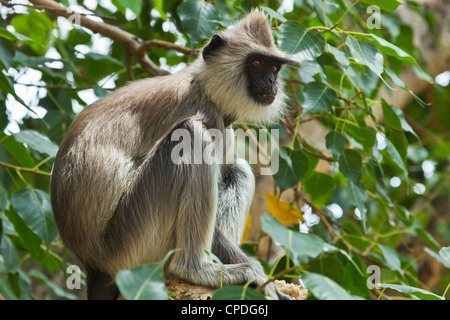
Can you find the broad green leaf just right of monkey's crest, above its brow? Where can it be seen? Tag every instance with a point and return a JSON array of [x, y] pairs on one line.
[[299, 41]]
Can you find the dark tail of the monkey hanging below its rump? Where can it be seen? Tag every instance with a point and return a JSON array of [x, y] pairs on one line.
[[100, 285]]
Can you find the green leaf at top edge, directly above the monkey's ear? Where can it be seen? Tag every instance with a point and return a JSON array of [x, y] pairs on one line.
[[198, 19]]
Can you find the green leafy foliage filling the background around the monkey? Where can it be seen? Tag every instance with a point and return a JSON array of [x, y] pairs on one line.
[[372, 190]]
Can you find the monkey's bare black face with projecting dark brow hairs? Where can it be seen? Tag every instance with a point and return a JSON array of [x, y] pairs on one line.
[[262, 72]]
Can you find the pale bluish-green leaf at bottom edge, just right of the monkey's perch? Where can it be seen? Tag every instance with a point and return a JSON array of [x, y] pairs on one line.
[[323, 288]]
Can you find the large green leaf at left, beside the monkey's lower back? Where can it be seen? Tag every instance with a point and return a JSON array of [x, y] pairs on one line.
[[34, 207]]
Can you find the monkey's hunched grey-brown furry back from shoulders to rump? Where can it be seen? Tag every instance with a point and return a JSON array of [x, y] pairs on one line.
[[101, 153]]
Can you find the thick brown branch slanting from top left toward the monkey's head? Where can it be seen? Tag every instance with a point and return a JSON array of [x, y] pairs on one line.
[[130, 41]]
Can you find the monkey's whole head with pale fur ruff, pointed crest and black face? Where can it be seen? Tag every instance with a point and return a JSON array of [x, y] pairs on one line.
[[240, 70]]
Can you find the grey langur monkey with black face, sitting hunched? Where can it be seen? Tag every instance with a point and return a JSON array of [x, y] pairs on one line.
[[118, 199]]
